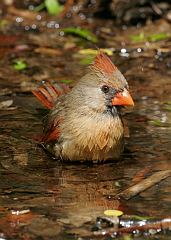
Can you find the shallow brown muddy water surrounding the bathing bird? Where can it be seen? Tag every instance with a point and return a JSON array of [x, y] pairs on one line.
[[62, 200]]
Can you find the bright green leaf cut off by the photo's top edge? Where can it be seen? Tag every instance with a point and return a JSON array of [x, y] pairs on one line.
[[53, 7]]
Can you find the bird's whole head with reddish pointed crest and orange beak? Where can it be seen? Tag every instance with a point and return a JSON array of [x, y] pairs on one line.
[[104, 88]]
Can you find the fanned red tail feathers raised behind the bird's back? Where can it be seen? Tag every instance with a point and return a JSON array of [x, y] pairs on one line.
[[47, 94]]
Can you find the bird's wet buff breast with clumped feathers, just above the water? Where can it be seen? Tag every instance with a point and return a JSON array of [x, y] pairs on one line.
[[95, 139]]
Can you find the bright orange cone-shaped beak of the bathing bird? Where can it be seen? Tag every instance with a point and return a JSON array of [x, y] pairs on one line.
[[123, 99]]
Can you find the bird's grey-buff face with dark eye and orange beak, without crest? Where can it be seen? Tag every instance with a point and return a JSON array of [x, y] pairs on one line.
[[105, 93]]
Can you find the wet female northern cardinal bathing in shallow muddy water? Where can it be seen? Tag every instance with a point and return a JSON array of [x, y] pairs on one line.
[[84, 123]]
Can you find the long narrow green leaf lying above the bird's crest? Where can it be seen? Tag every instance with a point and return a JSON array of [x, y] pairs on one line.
[[82, 33]]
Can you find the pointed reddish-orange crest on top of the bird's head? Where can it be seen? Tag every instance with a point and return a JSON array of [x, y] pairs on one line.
[[103, 63]]
